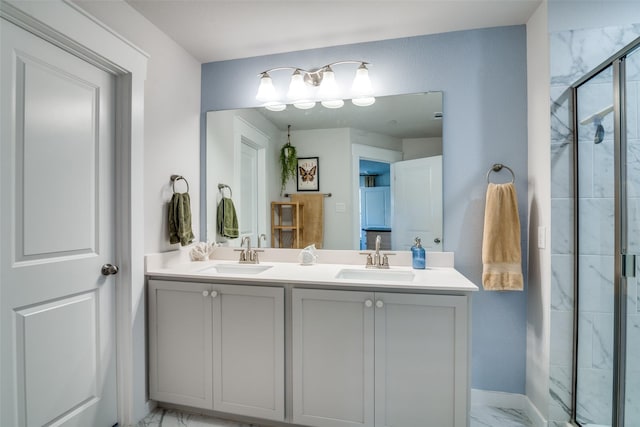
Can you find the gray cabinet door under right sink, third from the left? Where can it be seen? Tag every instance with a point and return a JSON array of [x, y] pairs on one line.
[[332, 358]]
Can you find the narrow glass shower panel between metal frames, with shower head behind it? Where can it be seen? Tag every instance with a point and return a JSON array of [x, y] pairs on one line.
[[595, 249]]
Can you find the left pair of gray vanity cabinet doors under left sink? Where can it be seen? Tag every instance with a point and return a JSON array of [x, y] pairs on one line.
[[217, 347]]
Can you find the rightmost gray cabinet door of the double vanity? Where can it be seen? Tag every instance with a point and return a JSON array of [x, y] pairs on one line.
[[421, 360]]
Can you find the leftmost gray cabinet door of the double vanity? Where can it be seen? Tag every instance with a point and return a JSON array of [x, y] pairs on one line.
[[180, 343]]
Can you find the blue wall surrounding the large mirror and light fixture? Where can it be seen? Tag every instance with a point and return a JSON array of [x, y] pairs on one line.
[[482, 74]]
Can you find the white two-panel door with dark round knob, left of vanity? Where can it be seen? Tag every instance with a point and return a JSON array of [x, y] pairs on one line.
[[57, 319]]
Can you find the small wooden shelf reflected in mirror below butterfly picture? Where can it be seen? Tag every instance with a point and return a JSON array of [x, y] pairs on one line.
[[286, 224]]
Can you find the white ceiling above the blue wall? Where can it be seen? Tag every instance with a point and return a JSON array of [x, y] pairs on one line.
[[217, 30]]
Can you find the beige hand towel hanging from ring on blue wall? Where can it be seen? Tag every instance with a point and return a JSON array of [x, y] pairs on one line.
[[501, 258]]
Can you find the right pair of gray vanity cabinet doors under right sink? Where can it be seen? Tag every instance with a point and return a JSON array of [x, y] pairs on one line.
[[379, 359]]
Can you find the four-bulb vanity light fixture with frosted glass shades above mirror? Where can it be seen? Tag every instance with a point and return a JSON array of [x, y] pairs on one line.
[[302, 83]]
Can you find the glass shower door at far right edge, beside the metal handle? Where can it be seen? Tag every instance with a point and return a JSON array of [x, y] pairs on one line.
[[631, 236]]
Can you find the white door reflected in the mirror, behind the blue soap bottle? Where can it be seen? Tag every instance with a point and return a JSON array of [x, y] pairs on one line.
[[416, 199]]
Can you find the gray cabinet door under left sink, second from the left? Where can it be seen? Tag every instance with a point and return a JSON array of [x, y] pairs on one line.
[[248, 350]]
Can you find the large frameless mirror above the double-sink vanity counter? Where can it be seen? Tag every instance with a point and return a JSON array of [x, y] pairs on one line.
[[378, 172]]
